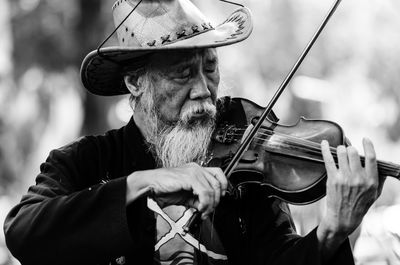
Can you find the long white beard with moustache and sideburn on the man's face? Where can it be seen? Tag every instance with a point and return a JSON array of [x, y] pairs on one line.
[[182, 142]]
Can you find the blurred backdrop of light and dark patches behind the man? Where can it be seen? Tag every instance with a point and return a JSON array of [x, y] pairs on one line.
[[351, 77]]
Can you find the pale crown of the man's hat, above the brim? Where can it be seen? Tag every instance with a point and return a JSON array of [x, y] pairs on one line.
[[157, 22]]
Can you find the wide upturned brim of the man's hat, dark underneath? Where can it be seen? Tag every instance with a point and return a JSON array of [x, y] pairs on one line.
[[102, 72]]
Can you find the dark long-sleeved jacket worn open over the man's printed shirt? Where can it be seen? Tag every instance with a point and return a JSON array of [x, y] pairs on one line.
[[76, 213]]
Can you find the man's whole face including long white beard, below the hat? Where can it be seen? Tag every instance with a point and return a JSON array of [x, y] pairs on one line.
[[177, 108]]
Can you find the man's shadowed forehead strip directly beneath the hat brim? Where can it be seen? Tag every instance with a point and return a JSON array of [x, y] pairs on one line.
[[172, 59]]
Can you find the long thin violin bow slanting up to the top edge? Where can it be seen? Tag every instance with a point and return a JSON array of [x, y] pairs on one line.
[[249, 137]]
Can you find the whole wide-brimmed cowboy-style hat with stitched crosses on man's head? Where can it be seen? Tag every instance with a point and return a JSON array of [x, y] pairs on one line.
[[154, 26]]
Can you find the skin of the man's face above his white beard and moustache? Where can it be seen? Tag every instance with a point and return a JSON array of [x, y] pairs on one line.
[[184, 80]]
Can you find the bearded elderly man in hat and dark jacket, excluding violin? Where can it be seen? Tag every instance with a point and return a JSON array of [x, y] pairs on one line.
[[125, 197]]
